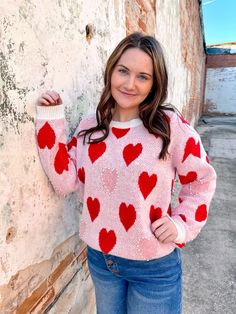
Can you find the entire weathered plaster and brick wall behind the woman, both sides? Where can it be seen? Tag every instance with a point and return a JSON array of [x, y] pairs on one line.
[[63, 45]]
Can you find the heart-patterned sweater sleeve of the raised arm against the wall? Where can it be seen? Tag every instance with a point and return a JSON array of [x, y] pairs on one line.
[[58, 156]]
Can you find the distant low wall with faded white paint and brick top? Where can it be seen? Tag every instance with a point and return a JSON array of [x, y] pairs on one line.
[[220, 93]]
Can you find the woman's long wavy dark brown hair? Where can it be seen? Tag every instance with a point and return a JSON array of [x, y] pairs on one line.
[[151, 110]]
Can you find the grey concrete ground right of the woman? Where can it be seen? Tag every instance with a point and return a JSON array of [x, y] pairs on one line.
[[209, 262]]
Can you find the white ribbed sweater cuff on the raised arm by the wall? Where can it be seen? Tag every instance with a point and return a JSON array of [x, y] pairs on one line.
[[50, 112]]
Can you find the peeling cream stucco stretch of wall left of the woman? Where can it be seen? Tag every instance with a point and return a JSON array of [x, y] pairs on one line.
[[43, 45]]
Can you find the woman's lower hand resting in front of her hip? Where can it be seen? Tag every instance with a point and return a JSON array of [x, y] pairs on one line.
[[164, 230]]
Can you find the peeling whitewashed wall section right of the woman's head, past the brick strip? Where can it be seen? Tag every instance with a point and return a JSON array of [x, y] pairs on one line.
[[179, 31]]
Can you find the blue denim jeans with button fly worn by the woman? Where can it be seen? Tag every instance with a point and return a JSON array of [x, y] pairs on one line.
[[124, 286]]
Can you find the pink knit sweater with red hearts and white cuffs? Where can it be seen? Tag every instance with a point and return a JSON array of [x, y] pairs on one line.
[[122, 183]]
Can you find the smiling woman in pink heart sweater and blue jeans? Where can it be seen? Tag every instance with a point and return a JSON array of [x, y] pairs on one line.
[[122, 161]]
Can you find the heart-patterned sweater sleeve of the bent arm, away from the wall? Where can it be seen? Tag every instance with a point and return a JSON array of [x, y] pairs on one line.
[[197, 178]]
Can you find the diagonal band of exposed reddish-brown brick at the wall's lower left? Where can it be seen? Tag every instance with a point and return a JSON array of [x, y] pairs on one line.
[[27, 288]]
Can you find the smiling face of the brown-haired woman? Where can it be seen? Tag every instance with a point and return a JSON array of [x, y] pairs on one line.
[[131, 80]]
